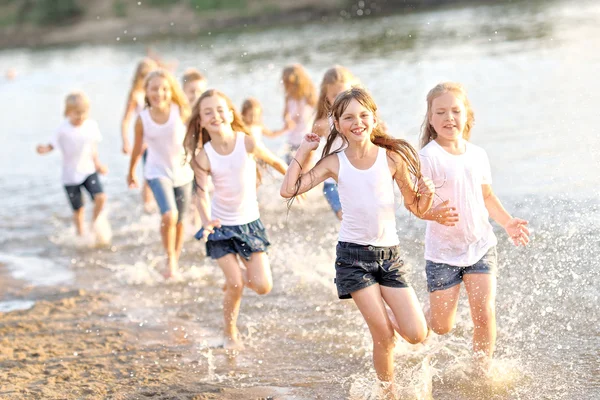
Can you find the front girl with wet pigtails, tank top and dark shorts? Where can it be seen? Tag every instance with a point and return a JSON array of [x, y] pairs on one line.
[[368, 266]]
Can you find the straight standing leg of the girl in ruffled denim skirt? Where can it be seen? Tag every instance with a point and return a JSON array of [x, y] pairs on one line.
[[234, 287]]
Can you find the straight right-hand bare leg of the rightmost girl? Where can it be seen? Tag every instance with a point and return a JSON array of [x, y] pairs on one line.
[[481, 289]]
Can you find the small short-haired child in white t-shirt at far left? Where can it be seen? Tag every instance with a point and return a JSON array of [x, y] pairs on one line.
[[77, 137]]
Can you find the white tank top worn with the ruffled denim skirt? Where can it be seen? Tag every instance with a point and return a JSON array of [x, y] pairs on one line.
[[234, 199]]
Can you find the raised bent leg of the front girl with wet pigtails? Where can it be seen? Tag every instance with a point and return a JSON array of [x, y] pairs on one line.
[[407, 311]]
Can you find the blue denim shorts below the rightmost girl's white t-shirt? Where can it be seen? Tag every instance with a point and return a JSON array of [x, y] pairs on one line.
[[443, 276]]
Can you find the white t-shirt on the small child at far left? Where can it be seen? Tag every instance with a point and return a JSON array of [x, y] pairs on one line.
[[77, 145]]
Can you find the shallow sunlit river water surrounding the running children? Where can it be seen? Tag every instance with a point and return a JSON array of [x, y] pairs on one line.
[[531, 71]]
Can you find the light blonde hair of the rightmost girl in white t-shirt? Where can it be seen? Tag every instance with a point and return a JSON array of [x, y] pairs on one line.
[[427, 132]]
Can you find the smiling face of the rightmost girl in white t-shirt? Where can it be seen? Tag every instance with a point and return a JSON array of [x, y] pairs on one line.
[[448, 116]]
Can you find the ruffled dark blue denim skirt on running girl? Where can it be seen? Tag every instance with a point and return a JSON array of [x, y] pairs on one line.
[[236, 239]]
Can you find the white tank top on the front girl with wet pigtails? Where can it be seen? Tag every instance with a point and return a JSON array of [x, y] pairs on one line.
[[367, 198]]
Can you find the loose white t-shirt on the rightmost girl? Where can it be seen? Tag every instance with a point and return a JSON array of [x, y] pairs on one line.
[[458, 178]]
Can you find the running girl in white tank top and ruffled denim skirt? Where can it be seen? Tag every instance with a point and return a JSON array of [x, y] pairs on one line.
[[220, 145]]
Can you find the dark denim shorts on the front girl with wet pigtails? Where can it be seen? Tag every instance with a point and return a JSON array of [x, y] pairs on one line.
[[358, 266]]
